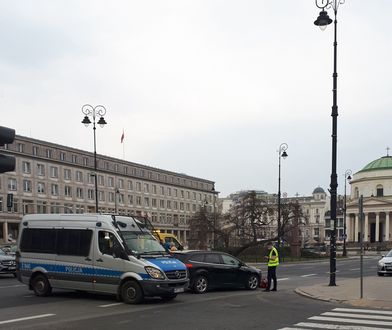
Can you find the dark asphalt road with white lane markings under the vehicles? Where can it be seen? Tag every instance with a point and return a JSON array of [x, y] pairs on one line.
[[238, 309]]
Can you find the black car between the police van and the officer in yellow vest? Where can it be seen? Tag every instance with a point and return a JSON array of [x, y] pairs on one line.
[[212, 269]]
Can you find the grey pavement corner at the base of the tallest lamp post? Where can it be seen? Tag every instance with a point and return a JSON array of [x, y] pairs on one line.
[[377, 292]]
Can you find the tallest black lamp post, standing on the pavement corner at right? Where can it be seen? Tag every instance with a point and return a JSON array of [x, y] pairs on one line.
[[322, 21]]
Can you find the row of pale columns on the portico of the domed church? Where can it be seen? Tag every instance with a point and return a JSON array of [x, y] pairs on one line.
[[354, 227]]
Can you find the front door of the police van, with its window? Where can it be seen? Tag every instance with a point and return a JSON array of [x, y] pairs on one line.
[[108, 266]]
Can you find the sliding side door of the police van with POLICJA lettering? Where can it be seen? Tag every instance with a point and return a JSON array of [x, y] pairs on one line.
[[74, 260]]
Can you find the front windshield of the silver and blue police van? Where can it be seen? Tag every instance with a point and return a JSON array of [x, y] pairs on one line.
[[140, 243]]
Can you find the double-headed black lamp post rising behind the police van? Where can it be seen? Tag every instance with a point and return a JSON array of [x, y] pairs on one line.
[[93, 112]]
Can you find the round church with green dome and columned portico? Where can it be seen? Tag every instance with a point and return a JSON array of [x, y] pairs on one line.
[[374, 183]]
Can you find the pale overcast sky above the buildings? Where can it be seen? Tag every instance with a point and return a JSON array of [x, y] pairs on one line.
[[208, 88]]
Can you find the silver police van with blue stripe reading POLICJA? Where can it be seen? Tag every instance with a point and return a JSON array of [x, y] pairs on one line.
[[97, 253]]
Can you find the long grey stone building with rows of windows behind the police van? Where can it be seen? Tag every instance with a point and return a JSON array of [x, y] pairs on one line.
[[51, 178]]
